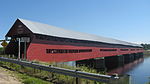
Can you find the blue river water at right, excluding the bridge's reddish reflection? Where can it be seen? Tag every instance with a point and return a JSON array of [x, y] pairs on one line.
[[140, 74]]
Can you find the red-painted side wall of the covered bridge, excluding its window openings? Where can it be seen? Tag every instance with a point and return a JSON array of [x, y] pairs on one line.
[[37, 51]]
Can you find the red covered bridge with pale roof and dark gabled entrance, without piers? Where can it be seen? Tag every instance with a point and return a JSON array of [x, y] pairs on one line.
[[53, 44]]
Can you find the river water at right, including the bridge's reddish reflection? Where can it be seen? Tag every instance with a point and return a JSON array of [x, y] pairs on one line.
[[139, 71]]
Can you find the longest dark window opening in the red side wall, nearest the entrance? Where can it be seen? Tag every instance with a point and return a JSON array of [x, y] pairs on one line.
[[68, 50]]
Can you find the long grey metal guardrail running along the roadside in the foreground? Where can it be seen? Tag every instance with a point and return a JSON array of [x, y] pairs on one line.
[[74, 73]]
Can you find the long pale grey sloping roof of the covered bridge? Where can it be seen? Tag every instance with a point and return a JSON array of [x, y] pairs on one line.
[[49, 30]]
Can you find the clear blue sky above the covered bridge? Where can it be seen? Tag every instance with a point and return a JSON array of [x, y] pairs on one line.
[[127, 20]]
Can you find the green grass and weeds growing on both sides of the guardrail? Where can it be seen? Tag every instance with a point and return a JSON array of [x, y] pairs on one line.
[[34, 76]]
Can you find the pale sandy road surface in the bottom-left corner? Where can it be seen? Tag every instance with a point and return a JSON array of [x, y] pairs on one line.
[[7, 78]]
